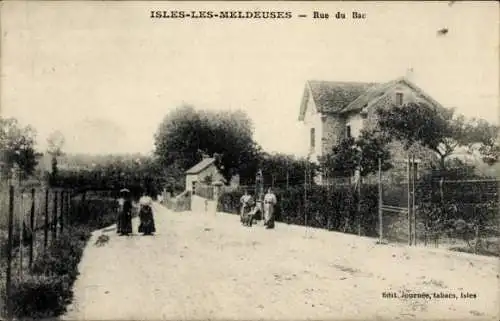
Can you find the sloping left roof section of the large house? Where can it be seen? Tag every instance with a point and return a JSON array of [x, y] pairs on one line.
[[332, 96]]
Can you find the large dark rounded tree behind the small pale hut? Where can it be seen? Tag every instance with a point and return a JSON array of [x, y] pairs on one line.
[[185, 132]]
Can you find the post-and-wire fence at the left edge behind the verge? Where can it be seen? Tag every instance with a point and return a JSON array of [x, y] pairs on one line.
[[30, 220]]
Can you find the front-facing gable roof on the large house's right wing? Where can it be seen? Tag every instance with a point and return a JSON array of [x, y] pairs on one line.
[[376, 92]]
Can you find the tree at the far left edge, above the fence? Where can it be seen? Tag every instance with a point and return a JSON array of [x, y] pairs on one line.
[[17, 146]]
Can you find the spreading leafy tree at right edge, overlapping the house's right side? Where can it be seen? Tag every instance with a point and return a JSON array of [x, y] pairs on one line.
[[440, 130]]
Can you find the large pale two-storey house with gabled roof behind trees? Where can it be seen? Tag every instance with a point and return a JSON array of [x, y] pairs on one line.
[[332, 110]]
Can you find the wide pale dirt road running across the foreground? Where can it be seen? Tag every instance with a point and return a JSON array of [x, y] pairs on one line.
[[207, 266]]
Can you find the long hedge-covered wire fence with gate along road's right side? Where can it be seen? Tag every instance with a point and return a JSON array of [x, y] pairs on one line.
[[410, 203]]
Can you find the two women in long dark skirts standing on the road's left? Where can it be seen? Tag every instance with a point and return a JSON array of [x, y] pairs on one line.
[[124, 222]]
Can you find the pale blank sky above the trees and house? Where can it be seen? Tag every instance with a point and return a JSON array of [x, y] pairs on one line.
[[105, 74]]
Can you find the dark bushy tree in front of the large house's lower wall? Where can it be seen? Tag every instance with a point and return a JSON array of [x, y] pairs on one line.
[[362, 153]]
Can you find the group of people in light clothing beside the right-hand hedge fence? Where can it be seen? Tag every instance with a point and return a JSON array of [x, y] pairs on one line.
[[249, 208]]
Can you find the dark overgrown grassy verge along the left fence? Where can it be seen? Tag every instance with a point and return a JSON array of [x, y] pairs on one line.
[[45, 290]]
